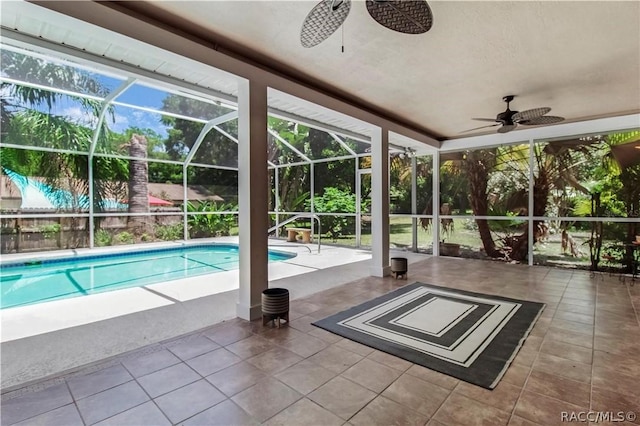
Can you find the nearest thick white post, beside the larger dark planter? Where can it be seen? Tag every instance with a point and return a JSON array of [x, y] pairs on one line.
[[253, 210]]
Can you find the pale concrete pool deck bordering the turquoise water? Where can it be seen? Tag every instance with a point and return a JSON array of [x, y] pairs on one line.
[[47, 339]]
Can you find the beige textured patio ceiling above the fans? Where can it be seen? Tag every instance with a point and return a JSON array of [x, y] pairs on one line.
[[582, 59]]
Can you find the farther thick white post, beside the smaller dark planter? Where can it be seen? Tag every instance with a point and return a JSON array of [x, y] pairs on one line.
[[380, 203]]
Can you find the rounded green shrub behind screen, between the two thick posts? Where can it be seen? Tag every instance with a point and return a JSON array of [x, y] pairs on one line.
[[334, 200]]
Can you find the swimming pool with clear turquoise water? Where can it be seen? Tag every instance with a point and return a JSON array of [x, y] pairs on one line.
[[29, 282]]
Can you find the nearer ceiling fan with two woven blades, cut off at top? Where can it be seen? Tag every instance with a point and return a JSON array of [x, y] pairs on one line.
[[405, 16]]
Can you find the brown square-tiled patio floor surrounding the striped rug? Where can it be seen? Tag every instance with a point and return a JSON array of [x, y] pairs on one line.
[[583, 355]]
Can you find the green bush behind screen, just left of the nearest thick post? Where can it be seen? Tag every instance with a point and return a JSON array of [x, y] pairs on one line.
[[209, 220]]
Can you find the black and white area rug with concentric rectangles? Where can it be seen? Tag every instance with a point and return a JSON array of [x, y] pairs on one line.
[[470, 336]]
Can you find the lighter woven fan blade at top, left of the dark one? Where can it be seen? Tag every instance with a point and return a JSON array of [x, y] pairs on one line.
[[323, 20]]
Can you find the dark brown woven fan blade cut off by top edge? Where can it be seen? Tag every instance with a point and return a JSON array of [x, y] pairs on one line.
[[405, 16]]
